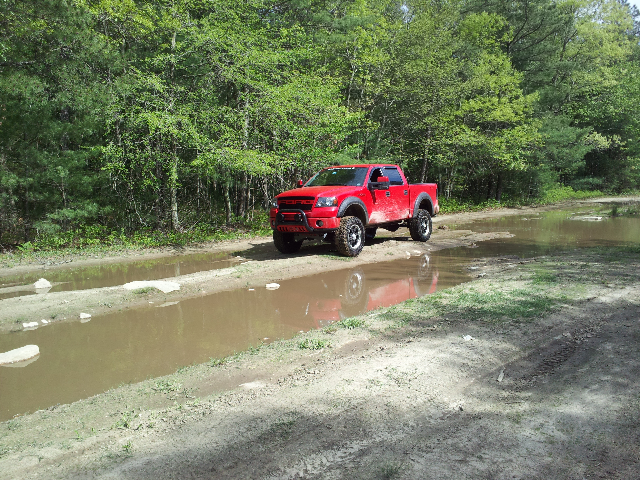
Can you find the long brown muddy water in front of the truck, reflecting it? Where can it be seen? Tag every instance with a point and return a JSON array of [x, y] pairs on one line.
[[78, 360]]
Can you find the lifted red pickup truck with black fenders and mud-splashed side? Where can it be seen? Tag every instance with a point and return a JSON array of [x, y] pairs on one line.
[[346, 204]]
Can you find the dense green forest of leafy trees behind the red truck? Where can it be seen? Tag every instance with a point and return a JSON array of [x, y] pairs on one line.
[[125, 116]]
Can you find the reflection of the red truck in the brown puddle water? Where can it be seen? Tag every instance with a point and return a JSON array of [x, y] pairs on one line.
[[342, 294]]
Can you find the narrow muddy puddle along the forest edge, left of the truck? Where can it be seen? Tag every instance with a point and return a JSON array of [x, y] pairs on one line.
[[83, 278]]
